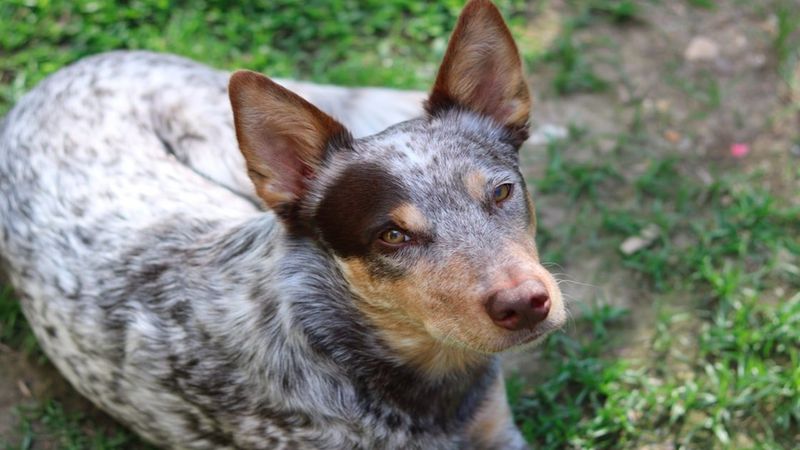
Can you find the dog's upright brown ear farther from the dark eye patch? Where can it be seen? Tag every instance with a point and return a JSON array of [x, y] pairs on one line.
[[482, 70]]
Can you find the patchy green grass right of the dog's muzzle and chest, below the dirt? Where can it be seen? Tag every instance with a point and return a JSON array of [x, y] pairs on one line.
[[723, 369]]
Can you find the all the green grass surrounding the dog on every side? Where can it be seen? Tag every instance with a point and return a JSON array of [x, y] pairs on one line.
[[709, 354]]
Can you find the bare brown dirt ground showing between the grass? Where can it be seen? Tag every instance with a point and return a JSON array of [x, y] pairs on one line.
[[693, 107]]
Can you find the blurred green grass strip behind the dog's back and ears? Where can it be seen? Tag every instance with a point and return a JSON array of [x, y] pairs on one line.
[[352, 42]]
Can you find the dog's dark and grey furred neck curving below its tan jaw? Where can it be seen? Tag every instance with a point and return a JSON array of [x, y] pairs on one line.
[[333, 318]]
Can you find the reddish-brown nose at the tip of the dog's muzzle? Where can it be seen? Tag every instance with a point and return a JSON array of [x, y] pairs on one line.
[[522, 306]]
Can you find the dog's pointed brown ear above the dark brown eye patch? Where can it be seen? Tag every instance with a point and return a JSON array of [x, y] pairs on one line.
[[283, 138]]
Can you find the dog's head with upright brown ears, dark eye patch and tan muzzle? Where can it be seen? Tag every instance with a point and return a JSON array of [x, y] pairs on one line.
[[430, 221]]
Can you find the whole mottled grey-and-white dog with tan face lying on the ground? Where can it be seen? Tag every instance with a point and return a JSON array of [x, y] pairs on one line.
[[309, 289]]
